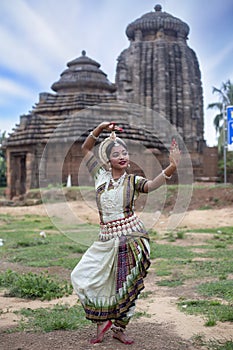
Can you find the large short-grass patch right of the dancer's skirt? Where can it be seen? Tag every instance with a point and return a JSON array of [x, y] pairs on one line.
[[214, 257]]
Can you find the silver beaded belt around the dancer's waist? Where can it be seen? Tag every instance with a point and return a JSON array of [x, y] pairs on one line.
[[120, 227]]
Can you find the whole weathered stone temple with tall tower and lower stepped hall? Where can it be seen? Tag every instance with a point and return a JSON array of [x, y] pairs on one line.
[[158, 71]]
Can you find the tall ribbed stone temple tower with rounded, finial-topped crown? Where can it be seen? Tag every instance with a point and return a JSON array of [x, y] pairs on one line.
[[160, 71]]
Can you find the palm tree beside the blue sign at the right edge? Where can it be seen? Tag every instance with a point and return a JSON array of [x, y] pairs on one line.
[[225, 94]]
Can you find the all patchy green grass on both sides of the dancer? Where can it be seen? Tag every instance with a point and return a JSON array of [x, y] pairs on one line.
[[174, 262]]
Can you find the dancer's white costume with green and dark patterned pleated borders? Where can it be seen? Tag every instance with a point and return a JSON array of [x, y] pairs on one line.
[[109, 277]]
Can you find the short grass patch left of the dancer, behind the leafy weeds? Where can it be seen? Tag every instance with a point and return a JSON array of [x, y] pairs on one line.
[[24, 245]]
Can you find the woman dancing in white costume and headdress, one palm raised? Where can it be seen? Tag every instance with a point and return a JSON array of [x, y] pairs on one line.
[[110, 276]]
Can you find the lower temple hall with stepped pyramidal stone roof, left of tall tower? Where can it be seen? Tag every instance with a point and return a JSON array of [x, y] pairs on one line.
[[81, 85]]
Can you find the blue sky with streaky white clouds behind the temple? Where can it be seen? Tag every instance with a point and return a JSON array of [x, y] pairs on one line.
[[39, 37]]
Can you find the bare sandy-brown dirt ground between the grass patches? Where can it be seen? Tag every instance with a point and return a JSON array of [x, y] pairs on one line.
[[164, 327]]
